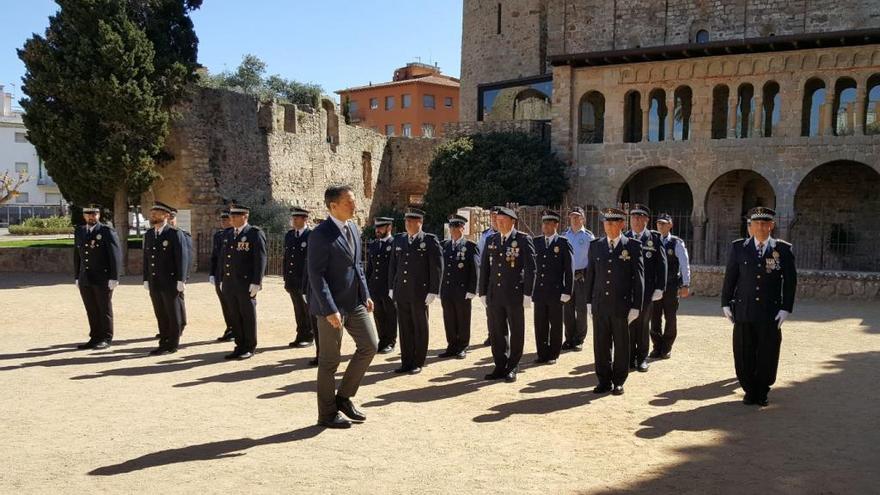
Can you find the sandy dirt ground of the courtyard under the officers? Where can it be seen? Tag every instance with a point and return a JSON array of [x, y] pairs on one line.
[[119, 421]]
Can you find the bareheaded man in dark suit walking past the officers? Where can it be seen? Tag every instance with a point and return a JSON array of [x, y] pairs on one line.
[[339, 297]]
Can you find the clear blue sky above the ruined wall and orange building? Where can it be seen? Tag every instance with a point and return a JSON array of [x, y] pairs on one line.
[[334, 43]]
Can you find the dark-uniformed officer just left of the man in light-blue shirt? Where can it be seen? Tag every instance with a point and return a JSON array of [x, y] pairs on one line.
[[553, 287]]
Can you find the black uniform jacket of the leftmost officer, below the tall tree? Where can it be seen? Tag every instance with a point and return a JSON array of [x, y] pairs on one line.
[[97, 257]]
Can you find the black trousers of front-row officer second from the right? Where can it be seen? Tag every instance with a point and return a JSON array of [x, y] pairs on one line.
[[611, 332]]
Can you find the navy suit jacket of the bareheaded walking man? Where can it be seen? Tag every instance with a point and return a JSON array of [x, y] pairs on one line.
[[337, 283]]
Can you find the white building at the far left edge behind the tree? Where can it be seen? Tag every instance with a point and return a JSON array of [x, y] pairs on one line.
[[17, 154]]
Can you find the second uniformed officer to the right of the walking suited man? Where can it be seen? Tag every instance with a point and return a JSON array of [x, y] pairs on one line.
[[414, 278]]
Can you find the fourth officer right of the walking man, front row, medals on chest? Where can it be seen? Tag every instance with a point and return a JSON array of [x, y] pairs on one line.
[[507, 278]]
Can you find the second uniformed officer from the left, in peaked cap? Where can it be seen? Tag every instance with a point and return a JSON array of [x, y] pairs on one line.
[[165, 276]]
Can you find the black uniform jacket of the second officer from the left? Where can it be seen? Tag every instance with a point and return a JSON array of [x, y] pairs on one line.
[[164, 258]]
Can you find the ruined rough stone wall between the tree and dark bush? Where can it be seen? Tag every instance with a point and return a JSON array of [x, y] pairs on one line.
[[228, 145]]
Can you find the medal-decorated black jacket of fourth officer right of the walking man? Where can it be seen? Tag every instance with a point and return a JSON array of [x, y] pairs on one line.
[[507, 270]]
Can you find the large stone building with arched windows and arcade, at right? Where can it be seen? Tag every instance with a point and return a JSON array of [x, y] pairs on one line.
[[699, 108]]
